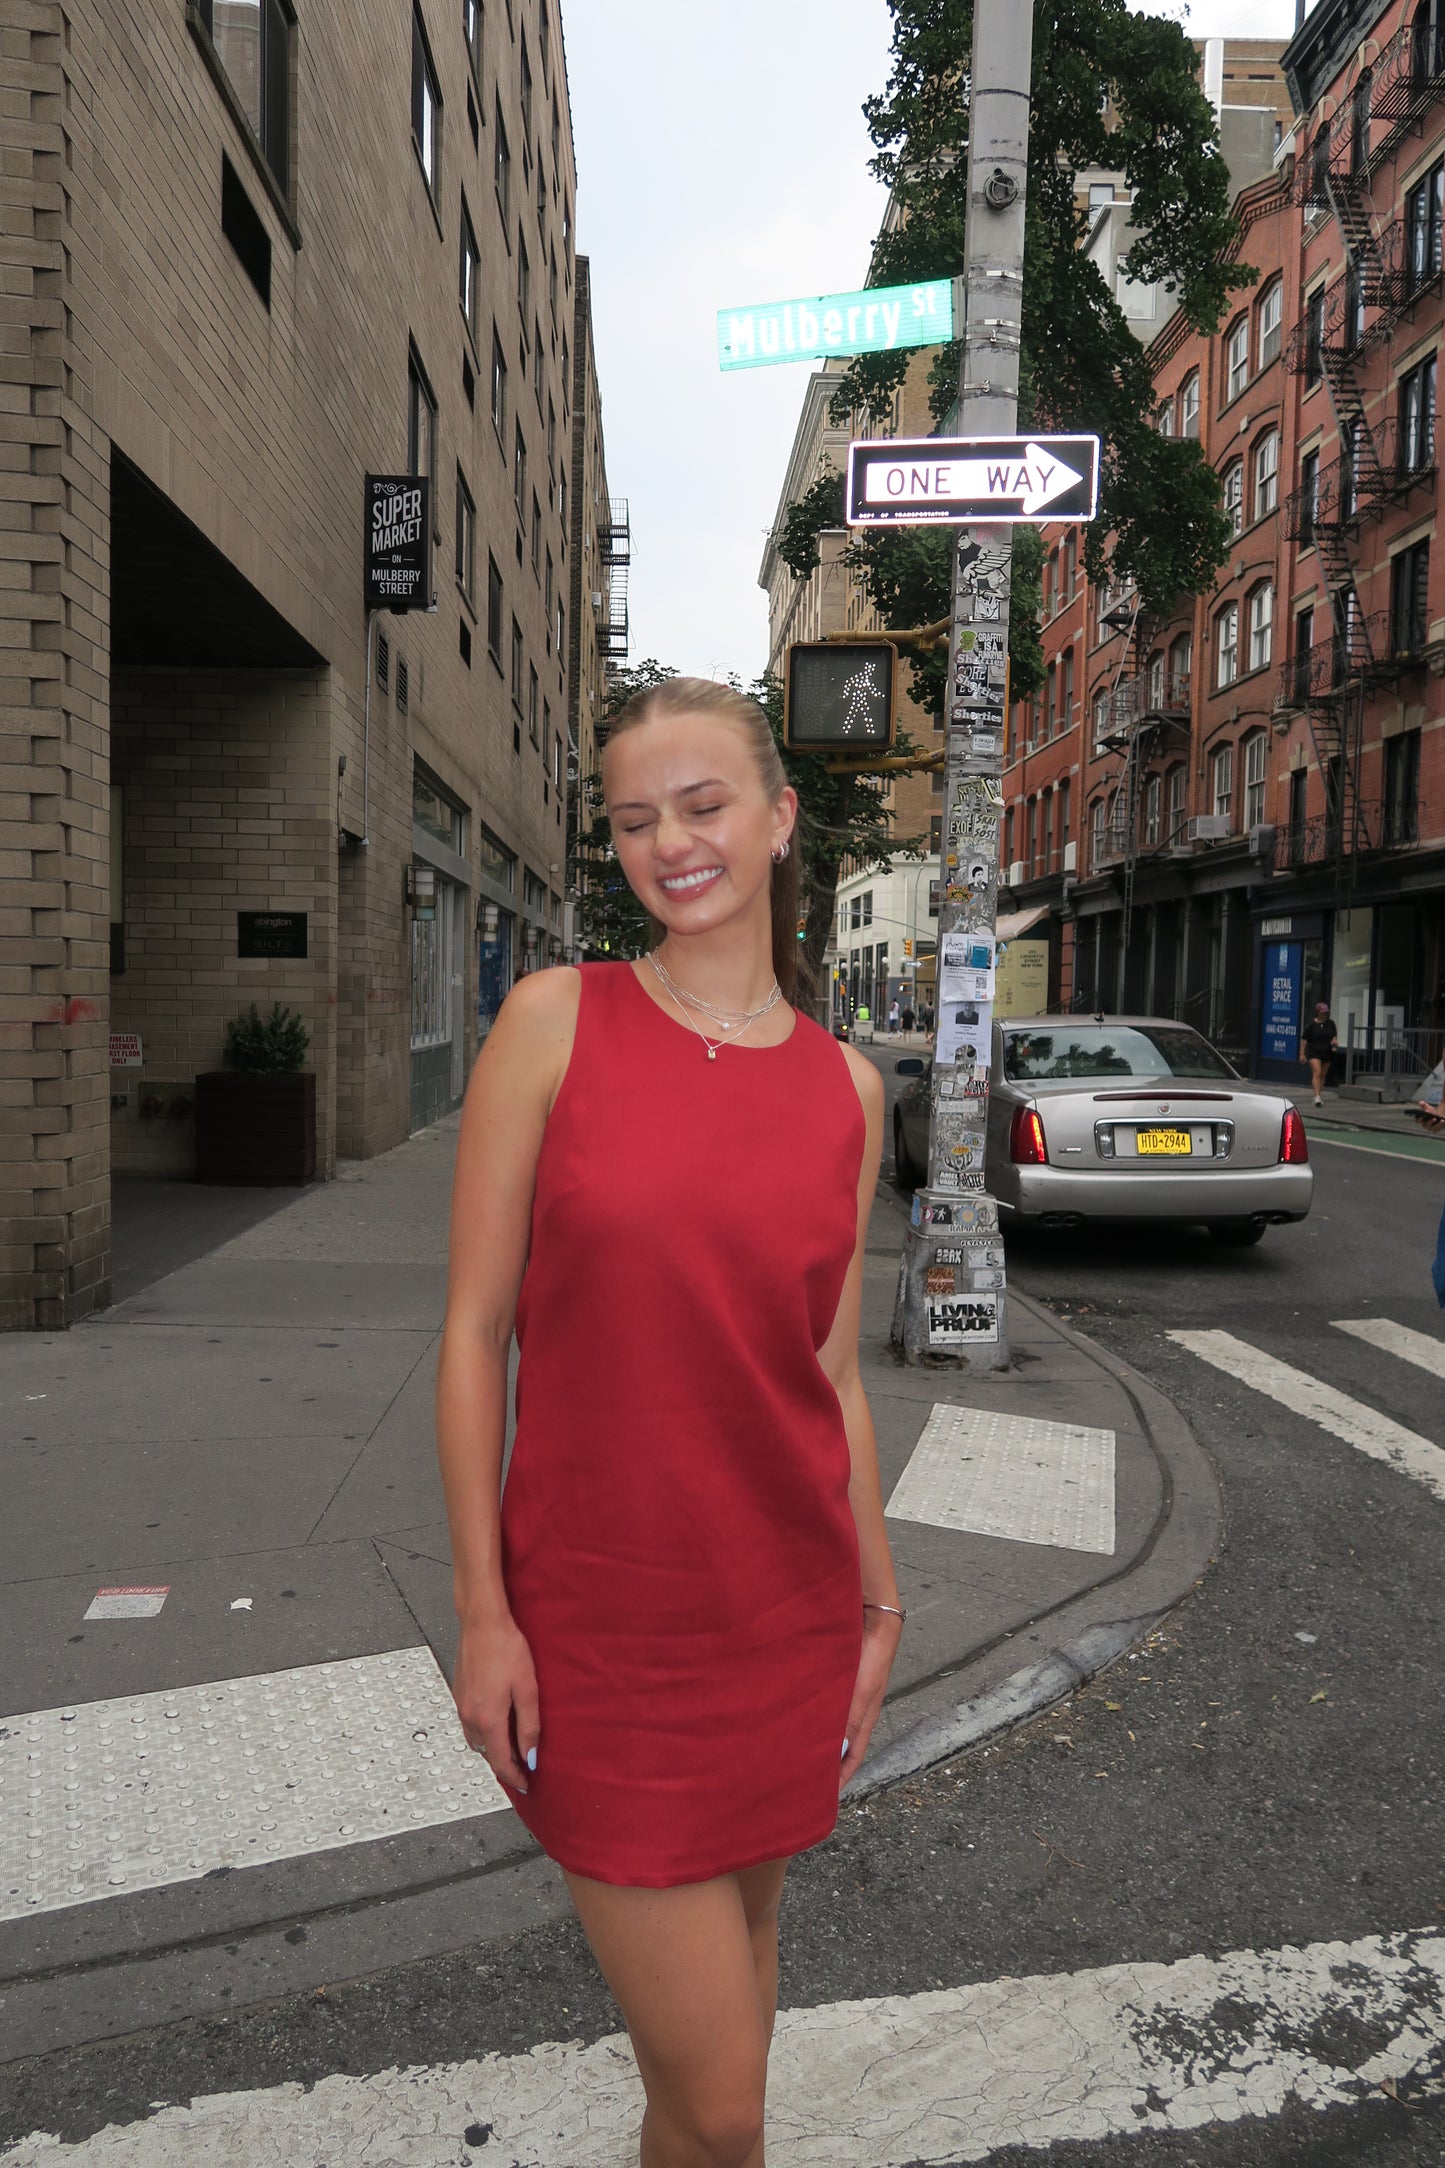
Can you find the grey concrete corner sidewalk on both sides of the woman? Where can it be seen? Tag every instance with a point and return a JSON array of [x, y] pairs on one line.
[[255, 1436]]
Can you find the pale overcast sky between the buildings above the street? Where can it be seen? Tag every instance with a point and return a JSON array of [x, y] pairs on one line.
[[722, 159]]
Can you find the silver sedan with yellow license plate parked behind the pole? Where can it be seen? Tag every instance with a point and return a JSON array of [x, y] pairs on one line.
[[1123, 1118]]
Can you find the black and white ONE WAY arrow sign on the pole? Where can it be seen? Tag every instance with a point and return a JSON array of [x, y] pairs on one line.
[[969, 480]]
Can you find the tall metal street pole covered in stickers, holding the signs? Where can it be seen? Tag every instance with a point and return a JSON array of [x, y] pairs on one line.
[[952, 1287]]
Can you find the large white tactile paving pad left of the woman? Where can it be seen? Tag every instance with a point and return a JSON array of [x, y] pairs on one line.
[[168, 1788]]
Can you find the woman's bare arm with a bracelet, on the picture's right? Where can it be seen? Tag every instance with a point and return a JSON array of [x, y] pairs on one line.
[[839, 1360]]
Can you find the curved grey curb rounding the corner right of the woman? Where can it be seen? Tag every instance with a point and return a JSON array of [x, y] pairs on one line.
[[1089, 1634]]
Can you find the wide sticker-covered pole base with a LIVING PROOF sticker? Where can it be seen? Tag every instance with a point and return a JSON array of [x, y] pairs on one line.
[[952, 1304]]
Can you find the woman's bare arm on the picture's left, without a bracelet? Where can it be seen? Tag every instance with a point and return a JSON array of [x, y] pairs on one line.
[[508, 1100]]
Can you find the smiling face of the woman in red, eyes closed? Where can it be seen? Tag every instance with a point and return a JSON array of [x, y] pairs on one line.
[[692, 823]]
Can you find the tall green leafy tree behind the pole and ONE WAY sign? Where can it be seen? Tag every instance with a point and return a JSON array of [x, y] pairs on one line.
[[1110, 90]]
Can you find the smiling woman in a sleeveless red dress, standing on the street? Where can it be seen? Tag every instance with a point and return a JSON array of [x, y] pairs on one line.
[[679, 1625]]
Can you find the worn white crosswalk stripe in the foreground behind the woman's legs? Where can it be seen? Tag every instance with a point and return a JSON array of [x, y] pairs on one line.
[[896, 2082]]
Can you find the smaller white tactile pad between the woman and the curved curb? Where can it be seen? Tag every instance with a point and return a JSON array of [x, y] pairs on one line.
[[1017, 1477]]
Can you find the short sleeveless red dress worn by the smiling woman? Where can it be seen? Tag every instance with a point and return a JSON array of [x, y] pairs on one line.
[[677, 1536]]
